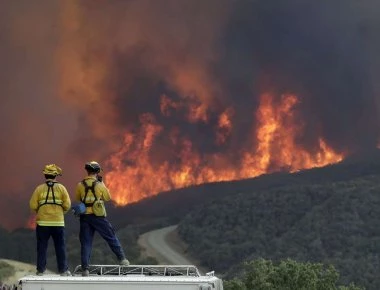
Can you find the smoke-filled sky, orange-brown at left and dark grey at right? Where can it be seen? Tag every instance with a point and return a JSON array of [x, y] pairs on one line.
[[78, 78]]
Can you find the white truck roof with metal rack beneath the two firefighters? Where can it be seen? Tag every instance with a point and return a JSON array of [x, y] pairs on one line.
[[133, 277]]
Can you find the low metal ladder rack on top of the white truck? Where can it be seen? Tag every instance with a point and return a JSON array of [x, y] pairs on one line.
[[144, 270]]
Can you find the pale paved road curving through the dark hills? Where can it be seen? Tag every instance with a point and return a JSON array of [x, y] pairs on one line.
[[156, 245]]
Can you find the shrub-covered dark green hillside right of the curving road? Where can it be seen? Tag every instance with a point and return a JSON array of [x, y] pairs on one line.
[[334, 222]]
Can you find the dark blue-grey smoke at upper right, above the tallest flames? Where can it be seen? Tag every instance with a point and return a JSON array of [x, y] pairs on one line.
[[319, 51]]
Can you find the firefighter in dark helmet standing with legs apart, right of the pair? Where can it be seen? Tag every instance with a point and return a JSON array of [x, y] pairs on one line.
[[92, 191]]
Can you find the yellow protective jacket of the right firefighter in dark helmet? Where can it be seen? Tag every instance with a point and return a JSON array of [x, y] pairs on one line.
[[101, 192]]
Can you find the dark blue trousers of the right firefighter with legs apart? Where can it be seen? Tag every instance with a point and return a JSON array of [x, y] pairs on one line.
[[89, 224]]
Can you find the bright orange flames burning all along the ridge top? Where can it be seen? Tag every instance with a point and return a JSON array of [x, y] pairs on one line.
[[138, 171]]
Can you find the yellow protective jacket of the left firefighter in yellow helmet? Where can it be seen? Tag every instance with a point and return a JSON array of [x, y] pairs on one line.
[[50, 209]]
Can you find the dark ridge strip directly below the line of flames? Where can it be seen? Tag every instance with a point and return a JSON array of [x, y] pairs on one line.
[[186, 199]]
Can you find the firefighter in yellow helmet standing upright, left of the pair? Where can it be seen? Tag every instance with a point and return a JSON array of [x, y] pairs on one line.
[[50, 200]]
